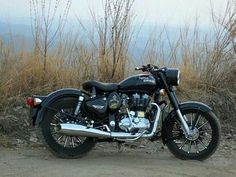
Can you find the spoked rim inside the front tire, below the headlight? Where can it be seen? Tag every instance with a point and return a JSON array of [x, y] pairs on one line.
[[201, 134]]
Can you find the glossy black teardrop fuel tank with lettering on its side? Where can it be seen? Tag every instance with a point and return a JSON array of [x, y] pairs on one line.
[[142, 82]]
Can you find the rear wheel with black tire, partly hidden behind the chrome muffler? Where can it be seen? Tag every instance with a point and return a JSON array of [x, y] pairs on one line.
[[60, 144]]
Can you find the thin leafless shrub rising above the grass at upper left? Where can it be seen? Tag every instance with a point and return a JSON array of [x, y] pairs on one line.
[[46, 26]]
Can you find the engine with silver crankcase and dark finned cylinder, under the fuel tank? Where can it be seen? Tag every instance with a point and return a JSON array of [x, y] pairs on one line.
[[133, 110]]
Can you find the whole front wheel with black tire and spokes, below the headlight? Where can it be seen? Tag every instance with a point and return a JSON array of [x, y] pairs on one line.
[[203, 139]]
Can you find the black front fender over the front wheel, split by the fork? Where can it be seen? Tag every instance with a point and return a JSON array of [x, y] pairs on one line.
[[183, 106]]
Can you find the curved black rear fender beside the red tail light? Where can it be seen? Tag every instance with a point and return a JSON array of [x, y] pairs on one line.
[[55, 95]]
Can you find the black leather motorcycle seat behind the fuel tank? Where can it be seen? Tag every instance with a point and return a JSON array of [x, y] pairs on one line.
[[106, 87]]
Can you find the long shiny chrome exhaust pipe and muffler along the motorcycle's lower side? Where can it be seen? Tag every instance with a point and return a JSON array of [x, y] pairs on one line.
[[80, 130]]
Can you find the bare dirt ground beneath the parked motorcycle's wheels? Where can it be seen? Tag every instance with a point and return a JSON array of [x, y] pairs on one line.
[[141, 159]]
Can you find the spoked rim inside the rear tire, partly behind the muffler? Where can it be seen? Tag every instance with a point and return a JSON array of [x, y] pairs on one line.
[[62, 139]]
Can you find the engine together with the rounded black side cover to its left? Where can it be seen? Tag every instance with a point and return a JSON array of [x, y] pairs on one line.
[[133, 110]]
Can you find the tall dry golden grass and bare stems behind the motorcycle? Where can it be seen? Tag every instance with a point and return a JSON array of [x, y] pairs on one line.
[[207, 63]]
